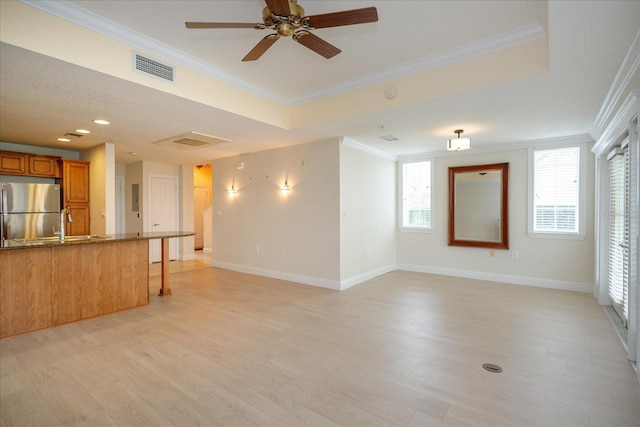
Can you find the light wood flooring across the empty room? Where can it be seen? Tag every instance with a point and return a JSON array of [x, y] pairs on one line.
[[404, 349]]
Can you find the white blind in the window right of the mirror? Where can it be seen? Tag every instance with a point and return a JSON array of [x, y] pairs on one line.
[[556, 190]]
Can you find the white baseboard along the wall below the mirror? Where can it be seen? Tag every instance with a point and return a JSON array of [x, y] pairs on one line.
[[504, 278]]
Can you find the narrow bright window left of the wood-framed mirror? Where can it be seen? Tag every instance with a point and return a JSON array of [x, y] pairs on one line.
[[416, 194]]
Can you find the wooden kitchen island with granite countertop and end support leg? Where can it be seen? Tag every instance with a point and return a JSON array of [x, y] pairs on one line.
[[46, 282]]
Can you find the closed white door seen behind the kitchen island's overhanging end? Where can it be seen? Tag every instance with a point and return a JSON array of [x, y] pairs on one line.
[[163, 213]]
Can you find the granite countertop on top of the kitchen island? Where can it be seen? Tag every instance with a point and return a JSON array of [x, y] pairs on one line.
[[91, 239]]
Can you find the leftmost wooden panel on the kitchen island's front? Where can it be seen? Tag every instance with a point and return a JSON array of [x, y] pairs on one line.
[[25, 291]]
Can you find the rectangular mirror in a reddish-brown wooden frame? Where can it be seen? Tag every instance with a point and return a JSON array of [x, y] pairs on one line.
[[478, 206]]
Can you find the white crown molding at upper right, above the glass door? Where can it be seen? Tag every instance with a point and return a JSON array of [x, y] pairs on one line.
[[619, 89]]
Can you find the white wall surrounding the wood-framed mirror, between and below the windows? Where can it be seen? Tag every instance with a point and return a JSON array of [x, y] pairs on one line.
[[554, 263]]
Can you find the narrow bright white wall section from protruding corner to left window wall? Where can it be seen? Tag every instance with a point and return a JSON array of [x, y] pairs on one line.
[[367, 215]]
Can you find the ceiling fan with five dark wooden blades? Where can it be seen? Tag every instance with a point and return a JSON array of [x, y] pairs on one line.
[[287, 18]]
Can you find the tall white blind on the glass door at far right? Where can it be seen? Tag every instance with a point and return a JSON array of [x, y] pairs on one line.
[[619, 232]]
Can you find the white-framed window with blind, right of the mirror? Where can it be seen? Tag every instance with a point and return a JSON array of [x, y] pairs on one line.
[[556, 192]]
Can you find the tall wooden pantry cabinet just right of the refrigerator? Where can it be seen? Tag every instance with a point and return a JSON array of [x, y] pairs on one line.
[[75, 196]]
